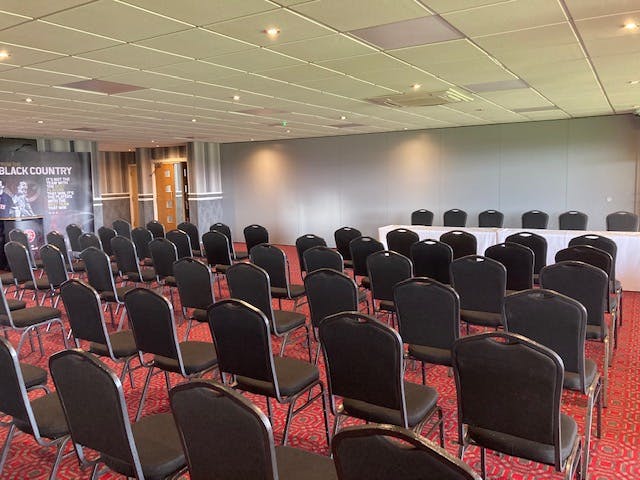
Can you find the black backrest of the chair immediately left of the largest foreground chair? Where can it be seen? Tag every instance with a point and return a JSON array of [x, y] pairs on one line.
[[364, 361]]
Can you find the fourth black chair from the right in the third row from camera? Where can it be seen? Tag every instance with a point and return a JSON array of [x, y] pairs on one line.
[[250, 283]]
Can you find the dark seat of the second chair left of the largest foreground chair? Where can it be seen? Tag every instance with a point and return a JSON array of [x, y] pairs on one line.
[[293, 376]]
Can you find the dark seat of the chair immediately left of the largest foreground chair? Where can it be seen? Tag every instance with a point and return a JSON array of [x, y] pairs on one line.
[[421, 400]]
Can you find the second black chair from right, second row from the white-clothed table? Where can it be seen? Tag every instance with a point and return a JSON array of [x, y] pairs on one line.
[[518, 260]]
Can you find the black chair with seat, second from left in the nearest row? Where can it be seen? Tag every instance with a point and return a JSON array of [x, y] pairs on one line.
[[148, 449]]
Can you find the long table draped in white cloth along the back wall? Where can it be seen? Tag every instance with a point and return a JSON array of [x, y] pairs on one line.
[[627, 261]]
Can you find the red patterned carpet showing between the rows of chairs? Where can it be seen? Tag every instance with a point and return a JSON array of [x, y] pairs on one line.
[[615, 456]]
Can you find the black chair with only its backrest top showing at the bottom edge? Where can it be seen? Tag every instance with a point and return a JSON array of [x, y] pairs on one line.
[[384, 452]]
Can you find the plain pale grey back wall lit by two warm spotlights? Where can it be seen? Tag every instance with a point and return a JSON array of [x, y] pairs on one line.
[[316, 185]]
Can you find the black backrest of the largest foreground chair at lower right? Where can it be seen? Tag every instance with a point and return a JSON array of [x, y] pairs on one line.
[[495, 373]]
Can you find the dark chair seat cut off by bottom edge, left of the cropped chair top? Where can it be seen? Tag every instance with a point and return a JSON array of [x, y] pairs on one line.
[[296, 464]]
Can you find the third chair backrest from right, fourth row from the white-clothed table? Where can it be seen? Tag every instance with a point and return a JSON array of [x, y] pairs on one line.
[[329, 292]]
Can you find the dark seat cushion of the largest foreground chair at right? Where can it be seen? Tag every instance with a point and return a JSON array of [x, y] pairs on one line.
[[518, 447]]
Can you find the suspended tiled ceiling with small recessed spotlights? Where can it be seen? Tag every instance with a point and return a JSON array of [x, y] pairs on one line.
[[171, 71]]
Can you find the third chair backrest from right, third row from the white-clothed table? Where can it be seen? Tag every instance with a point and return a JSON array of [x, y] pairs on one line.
[[386, 269]]
